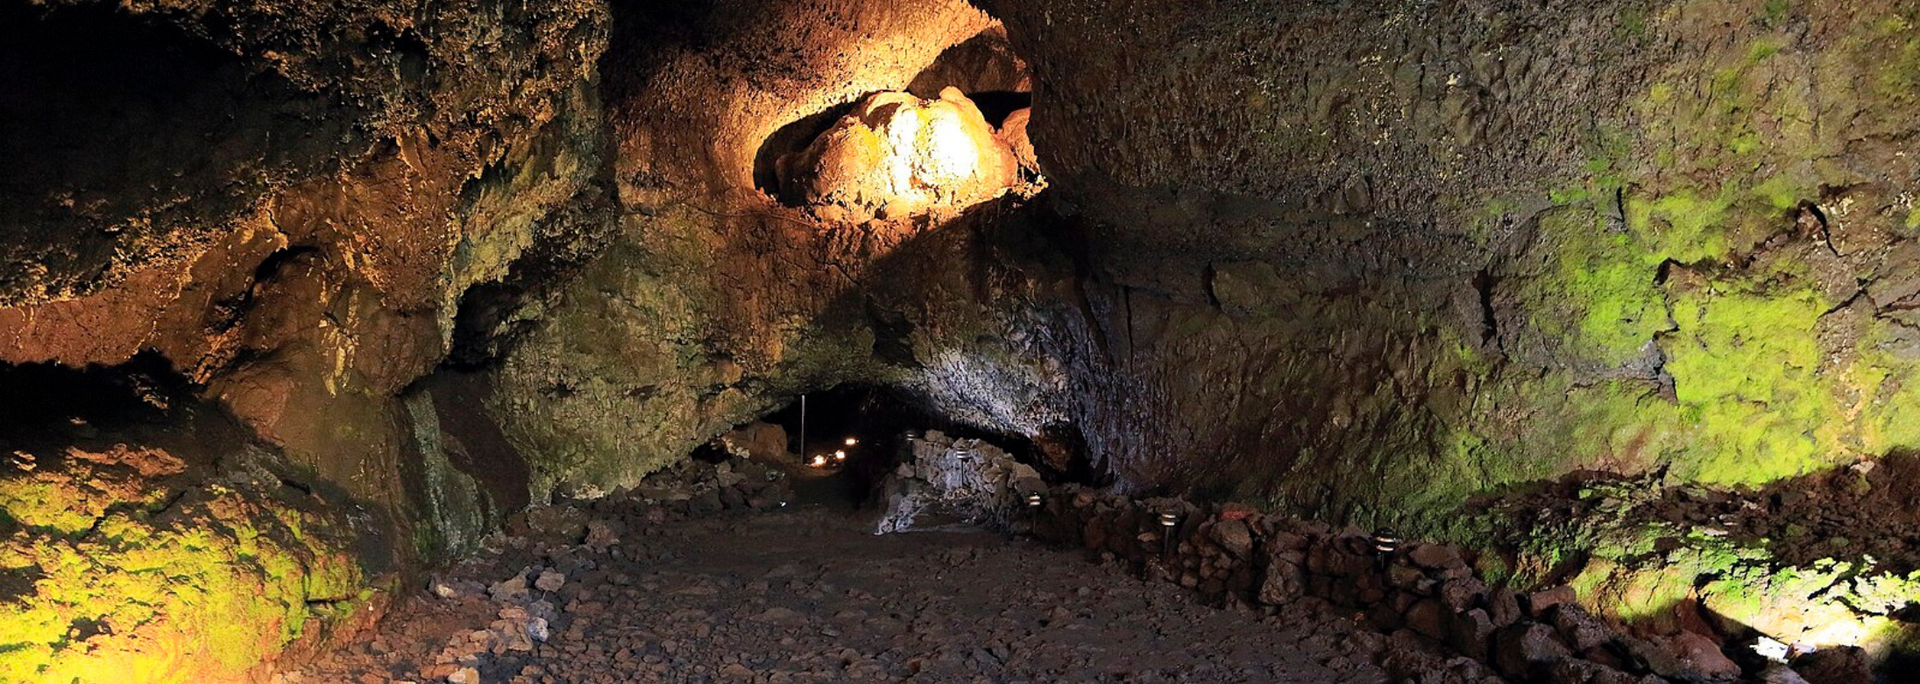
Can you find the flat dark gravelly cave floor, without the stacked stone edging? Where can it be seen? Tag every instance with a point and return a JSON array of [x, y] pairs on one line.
[[809, 595]]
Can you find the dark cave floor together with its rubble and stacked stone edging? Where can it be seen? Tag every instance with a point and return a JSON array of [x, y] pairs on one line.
[[704, 575]]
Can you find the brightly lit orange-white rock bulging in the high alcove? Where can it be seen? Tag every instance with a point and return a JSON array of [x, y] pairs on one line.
[[898, 157]]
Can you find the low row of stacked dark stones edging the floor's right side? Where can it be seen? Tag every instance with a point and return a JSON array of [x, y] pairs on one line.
[[1422, 593]]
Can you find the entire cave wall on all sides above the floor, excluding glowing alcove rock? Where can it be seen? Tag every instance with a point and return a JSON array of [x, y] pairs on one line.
[[1360, 260]]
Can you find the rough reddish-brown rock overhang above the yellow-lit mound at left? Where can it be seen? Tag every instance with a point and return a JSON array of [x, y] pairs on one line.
[[302, 291]]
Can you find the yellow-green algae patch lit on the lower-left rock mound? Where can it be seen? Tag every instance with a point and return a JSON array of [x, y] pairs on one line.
[[189, 583]]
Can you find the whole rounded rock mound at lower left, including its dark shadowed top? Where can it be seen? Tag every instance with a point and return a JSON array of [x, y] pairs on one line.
[[147, 537]]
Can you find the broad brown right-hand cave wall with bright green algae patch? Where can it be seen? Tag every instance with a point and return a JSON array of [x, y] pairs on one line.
[[1414, 253]]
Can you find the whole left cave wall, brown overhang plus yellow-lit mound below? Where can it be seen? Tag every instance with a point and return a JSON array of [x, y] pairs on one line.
[[277, 210]]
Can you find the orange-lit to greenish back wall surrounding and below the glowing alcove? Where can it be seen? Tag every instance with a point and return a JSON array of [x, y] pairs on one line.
[[717, 303]]
